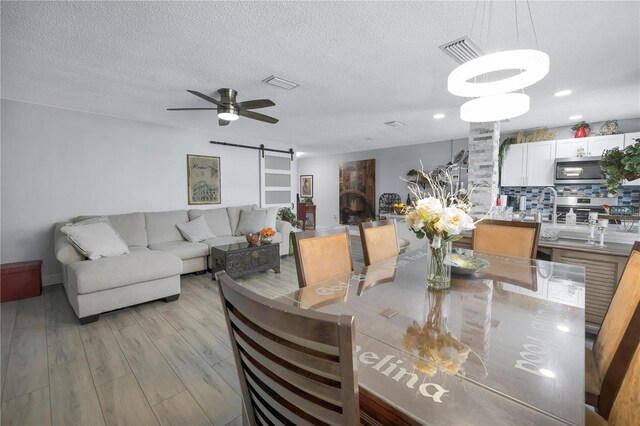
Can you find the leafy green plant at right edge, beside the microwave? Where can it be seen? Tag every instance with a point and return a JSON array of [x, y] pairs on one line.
[[619, 164]]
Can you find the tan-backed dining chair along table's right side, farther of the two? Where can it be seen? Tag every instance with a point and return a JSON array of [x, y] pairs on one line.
[[607, 362]]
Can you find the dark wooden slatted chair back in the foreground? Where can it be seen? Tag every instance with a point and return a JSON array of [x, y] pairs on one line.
[[295, 366]]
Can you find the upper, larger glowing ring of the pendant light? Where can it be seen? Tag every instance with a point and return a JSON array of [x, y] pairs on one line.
[[533, 64]]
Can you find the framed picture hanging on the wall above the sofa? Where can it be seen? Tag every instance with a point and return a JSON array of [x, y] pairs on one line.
[[203, 179]]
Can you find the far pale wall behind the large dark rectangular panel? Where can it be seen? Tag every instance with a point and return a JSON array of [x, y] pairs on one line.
[[391, 164]]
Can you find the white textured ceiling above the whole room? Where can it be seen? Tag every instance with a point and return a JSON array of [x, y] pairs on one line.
[[359, 64]]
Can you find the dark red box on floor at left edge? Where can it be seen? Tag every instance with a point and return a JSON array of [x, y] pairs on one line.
[[20, 280]]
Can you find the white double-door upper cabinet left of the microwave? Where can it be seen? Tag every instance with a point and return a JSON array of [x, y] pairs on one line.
[[529, 164]]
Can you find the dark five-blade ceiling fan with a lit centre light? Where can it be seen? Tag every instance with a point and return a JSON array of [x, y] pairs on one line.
[[230, 110]]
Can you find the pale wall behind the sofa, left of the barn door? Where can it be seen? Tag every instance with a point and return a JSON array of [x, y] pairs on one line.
[[58, 164]]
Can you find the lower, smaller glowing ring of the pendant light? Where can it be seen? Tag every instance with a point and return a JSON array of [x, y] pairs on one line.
[[494, 108]]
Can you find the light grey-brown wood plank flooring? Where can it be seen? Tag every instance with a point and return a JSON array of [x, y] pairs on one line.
[[154, 363]]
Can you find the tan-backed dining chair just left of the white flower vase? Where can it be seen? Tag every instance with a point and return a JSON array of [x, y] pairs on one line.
[[379, 240]]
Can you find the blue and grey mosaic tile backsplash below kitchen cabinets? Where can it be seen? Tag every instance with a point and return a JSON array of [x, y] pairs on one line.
[[630, 194]]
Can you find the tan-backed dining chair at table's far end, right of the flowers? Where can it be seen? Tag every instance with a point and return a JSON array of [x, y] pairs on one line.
[[506, 238]]
